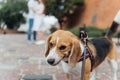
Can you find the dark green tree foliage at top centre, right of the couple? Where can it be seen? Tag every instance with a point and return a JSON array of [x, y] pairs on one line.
[[59, 8]]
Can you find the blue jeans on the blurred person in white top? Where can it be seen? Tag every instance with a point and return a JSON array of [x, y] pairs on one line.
[[31, 21]]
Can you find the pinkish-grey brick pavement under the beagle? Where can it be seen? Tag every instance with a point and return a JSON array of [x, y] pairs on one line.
[[18, 58]]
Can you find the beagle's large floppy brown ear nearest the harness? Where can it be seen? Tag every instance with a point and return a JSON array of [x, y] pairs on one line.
[[75, 53]]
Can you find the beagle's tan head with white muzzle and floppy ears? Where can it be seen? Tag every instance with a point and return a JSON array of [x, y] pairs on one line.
[[62, 44]]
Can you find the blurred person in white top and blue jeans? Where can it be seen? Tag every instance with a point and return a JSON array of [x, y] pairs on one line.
[[31, 8]]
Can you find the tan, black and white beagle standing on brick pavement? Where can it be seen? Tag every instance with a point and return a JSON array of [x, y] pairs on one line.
[[63, 46]]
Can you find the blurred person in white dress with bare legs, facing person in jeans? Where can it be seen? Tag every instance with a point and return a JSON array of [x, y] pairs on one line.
[[39, 9]]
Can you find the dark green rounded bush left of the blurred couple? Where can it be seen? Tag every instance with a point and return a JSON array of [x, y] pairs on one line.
[[11, 13]]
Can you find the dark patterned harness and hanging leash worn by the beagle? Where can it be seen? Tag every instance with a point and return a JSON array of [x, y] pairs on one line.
[[86, 54]]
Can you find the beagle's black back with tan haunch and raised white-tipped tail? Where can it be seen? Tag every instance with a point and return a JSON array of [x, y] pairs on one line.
[[104, 45]]
